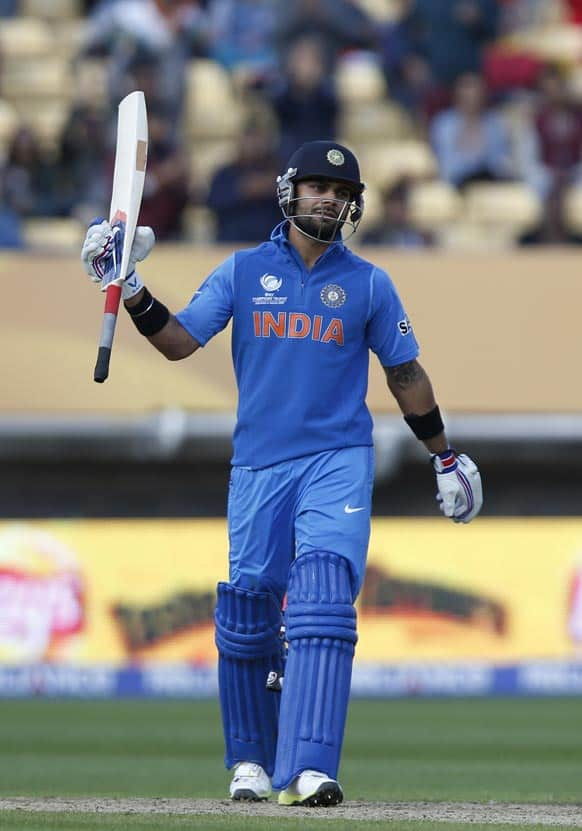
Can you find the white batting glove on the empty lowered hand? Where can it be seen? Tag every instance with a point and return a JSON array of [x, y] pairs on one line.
[[460, 492]]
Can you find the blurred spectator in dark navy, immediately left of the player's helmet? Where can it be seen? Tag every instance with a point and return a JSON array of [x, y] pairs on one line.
[[241, 193]]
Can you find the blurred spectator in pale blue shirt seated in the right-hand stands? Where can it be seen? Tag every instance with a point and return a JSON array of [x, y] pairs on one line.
[[471, 142]]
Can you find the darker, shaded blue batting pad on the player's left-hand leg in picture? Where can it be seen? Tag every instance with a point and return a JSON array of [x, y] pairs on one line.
[[249, 645]]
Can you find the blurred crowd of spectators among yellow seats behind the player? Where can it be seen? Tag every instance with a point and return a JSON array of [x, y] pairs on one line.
[[466, 79]]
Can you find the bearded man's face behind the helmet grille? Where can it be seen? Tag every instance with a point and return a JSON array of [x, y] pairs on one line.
[[321, 207]]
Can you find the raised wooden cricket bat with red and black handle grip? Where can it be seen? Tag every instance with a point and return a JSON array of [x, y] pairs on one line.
[[128, 180]]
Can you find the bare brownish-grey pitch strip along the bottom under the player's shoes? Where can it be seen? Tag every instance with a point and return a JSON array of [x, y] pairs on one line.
[[494, 813]]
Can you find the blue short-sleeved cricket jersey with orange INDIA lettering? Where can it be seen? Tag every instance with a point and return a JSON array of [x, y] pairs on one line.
[[300, 345]]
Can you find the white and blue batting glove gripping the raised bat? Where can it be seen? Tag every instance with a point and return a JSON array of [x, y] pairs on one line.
[[102, 249]]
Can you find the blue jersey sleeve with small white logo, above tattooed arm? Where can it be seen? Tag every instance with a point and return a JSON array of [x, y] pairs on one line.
[[388, 331]]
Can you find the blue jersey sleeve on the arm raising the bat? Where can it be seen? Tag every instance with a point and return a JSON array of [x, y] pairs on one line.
[[211, 307]]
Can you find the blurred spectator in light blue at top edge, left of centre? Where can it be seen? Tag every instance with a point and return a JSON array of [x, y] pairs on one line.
[[241, 38]]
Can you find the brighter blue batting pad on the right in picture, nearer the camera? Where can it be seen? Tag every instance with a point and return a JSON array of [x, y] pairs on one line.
[[321, 633]]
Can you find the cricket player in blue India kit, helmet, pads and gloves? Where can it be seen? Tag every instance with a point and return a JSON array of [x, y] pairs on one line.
[[306, 313]]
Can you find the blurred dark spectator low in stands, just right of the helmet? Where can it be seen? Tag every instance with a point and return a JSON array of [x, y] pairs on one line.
[[395, 227]]
